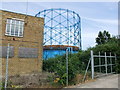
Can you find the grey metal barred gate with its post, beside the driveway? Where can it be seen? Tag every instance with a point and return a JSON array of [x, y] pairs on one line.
[[102, 64]]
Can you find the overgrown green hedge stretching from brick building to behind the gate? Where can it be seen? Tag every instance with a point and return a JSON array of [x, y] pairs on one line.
[[78, 62]]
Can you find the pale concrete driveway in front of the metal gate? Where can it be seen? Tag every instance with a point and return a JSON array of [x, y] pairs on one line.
[[110, 81]]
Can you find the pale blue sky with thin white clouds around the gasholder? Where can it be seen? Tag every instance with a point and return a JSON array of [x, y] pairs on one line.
[[95, 16]]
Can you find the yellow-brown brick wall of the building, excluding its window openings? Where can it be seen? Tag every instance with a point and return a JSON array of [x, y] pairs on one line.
[[32, 37]]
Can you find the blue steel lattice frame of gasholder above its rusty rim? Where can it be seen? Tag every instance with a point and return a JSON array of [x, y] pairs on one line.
[[62, 27]]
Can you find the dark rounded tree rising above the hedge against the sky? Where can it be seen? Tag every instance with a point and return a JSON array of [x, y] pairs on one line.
[[103, 37]]
